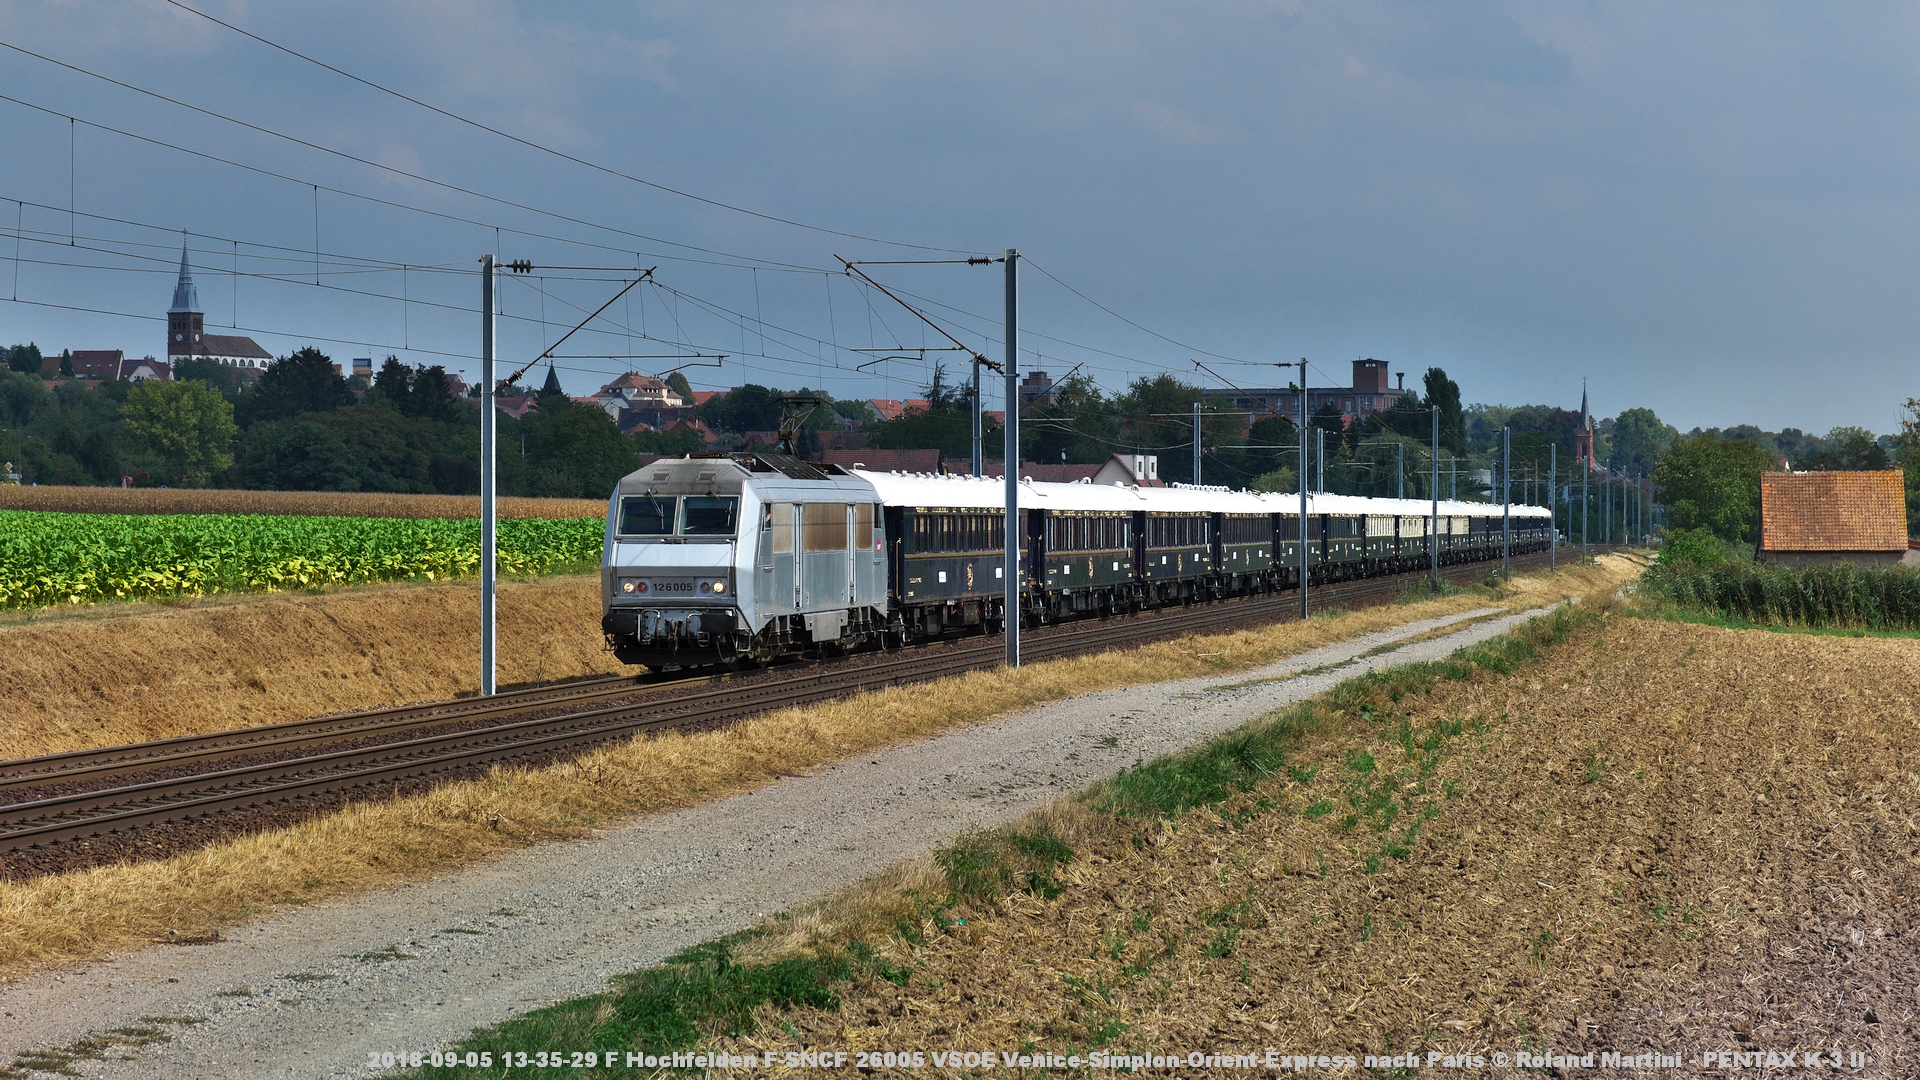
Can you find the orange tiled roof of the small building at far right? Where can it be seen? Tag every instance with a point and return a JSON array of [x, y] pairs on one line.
[[1835, 512]]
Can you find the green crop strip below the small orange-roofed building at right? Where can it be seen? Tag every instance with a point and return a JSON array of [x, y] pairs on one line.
[[1835, 595]]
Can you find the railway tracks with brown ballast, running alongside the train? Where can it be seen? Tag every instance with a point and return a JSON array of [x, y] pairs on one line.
[[101, 793]]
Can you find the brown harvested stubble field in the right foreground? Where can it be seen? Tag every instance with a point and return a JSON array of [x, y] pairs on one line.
[[1658, 837]]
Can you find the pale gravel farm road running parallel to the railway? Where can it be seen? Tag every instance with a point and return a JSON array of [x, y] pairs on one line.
[[312, 993]]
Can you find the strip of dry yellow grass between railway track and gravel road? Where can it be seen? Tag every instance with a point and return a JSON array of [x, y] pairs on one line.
[[89, 914]]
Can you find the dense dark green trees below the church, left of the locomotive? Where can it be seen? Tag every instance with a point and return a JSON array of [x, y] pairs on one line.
[[300, 426]]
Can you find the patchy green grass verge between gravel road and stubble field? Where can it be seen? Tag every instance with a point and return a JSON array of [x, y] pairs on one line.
[[725, 989]]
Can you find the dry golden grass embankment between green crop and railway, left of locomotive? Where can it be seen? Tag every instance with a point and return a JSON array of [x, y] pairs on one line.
[[112, 675]]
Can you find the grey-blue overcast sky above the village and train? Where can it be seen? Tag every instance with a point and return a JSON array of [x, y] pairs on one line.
[[1702, 209]]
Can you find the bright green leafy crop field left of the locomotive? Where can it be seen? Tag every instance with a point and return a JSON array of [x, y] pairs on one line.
[[85, 558]]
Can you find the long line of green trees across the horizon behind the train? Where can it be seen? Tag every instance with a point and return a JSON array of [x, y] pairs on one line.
[[300, 426]]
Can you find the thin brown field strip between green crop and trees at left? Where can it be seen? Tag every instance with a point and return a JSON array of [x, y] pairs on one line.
[[316, 504]]
